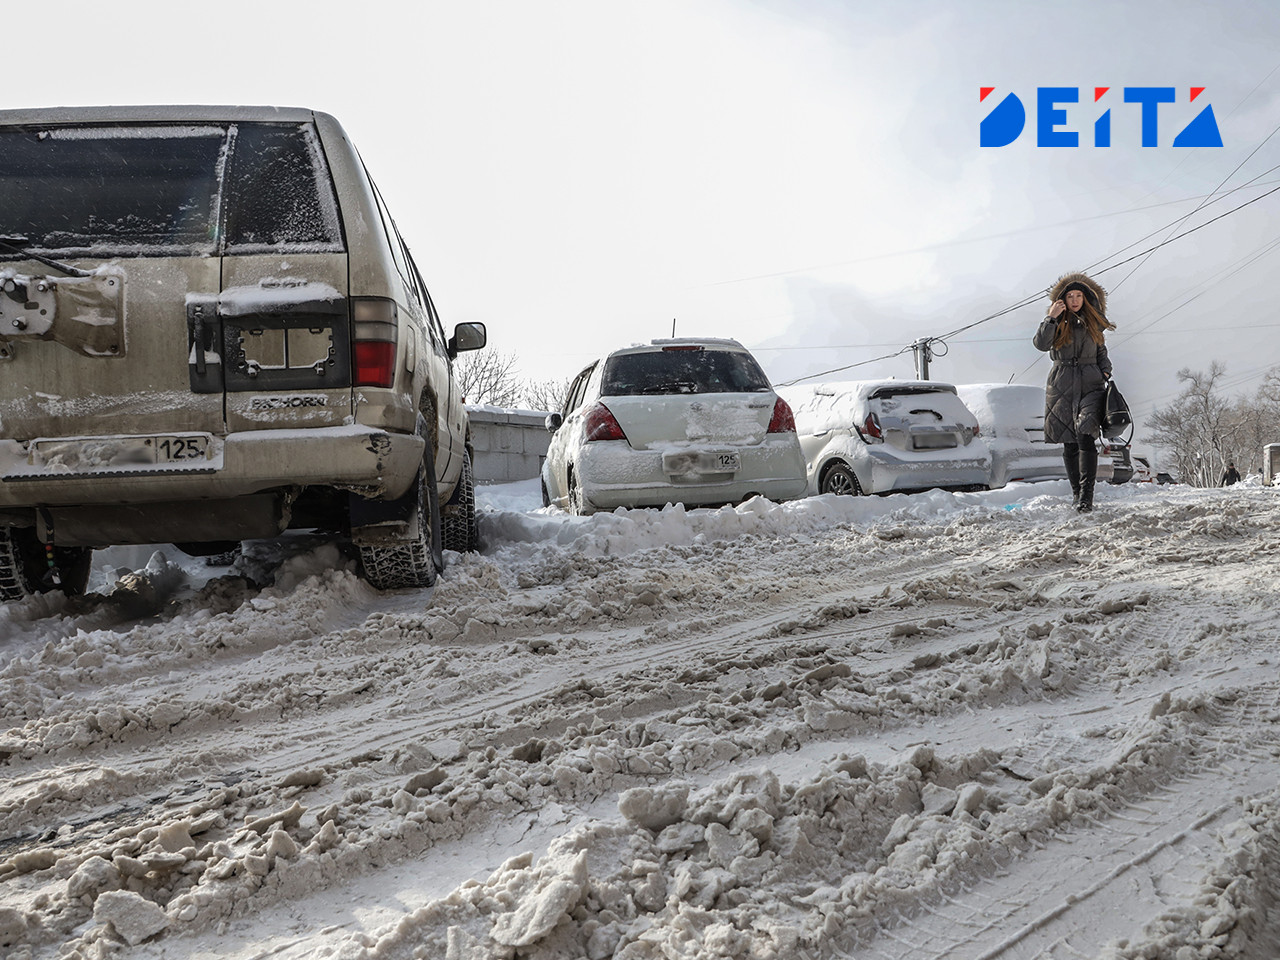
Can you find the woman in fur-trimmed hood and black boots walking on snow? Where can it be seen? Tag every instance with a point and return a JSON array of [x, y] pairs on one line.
[[1075, 336]]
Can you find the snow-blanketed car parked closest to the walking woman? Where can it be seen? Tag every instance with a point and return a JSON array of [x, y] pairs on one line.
[[1012, 418]]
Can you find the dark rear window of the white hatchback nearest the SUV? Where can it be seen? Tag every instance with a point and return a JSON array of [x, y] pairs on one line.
[[683, 372]]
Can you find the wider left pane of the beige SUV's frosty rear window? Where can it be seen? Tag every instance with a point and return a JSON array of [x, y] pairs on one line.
[[111, 190]]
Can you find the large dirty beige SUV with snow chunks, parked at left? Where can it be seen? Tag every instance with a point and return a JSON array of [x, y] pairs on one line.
[[212, 331]]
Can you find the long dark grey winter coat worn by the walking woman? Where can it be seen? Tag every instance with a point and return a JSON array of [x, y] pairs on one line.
[[1073, 396]]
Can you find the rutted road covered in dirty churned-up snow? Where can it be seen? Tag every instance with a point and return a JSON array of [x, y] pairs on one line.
[[967, 726]]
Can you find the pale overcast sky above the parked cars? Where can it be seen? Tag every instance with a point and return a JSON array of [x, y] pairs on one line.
[[804, 176]]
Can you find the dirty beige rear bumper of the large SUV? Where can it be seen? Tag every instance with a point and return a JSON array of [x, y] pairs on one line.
[[373, 463]]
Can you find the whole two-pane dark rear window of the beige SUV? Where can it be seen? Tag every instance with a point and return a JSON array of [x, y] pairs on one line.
[[159, 189]]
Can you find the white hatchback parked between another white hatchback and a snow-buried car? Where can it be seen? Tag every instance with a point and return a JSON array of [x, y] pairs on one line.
[[865, 437]]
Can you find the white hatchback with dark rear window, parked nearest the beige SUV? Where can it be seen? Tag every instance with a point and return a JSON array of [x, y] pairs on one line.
[[691, 422]]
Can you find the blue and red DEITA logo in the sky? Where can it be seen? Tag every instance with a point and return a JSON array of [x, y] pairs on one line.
[[1007, 124]]
